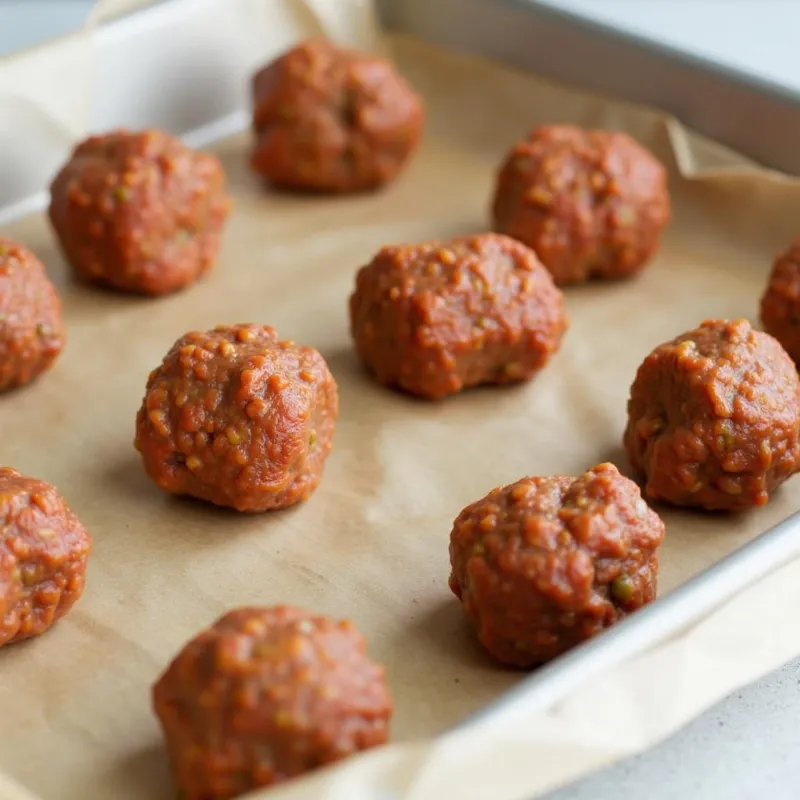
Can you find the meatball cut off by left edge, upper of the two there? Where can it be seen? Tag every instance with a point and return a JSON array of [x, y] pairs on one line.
[[31, 330]]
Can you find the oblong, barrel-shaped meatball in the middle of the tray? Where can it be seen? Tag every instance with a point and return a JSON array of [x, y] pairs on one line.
[[435, 318]]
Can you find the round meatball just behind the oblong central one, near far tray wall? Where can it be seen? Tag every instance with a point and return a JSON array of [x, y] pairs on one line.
[[591, 203]]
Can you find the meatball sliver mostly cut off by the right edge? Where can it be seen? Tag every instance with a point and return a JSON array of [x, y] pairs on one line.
[[780, 304]]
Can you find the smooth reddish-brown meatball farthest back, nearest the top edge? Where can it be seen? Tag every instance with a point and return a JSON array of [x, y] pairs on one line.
[[332, 120]]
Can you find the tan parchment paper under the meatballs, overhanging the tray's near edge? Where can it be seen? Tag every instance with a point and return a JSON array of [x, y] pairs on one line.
[[371, 544]]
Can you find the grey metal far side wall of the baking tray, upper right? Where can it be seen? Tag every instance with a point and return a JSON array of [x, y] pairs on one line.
[[717, 100]]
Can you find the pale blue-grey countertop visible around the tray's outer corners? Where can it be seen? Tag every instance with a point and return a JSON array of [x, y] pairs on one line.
[[747, 746]]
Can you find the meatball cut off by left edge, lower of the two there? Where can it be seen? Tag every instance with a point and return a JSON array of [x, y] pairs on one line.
[[44, 550]]
